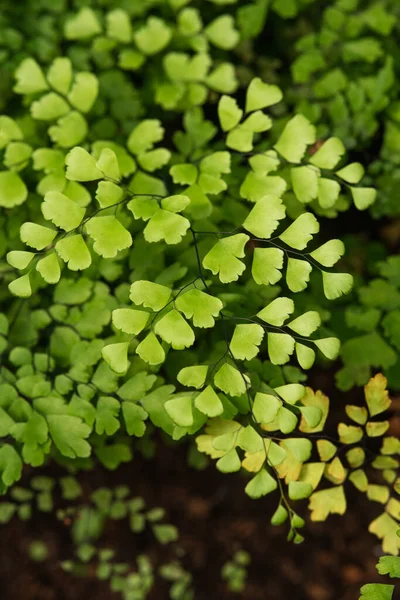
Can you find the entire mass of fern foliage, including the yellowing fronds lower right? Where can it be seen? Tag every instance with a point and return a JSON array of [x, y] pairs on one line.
[[163, 205]]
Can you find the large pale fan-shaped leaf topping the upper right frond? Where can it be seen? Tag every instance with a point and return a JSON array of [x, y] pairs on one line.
[[293, 141]]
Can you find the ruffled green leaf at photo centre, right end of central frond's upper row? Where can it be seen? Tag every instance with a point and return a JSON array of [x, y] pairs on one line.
[[200, 307]]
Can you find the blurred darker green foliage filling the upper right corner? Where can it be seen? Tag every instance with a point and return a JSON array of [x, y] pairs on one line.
[[345, 78]]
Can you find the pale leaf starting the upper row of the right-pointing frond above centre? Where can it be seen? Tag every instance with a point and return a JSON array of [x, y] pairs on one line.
[[264, 218]]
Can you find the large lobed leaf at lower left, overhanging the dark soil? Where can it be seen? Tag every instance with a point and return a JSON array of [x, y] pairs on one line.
[[69, 435]]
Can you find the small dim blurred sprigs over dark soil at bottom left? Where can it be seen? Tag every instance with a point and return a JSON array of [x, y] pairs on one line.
[[87, 519]]
